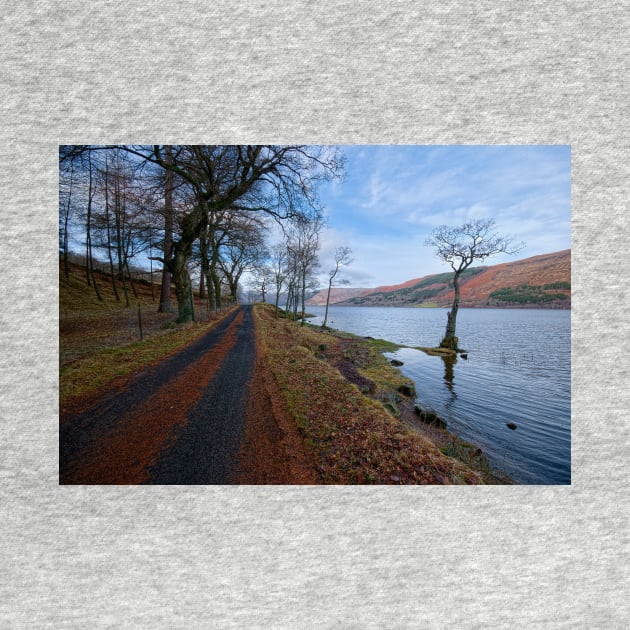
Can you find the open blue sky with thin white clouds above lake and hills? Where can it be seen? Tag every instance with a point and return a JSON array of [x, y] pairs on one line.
[[392, 197]]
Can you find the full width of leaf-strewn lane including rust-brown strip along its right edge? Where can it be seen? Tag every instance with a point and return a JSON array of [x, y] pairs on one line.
[[209, 414]]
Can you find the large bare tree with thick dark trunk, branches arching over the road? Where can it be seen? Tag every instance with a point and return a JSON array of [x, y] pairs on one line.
[[278, 180]]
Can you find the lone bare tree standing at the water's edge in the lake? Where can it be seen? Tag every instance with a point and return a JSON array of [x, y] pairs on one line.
[[460, 247]]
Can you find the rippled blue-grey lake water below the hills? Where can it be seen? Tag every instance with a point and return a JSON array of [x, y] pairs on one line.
[[518, 371]]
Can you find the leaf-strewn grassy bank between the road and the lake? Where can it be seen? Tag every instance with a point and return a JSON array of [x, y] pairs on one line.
[[354, 410]]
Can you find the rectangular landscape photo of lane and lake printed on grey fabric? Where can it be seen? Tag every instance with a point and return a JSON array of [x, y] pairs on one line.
[[315, 314]]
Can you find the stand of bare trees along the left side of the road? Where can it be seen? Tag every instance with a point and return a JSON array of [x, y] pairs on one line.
[[196, 214]]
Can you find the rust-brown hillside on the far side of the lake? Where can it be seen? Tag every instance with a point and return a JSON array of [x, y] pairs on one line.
[[540, 281]]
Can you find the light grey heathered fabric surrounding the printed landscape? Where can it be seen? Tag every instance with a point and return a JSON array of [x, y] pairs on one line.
[[325, 72]]
